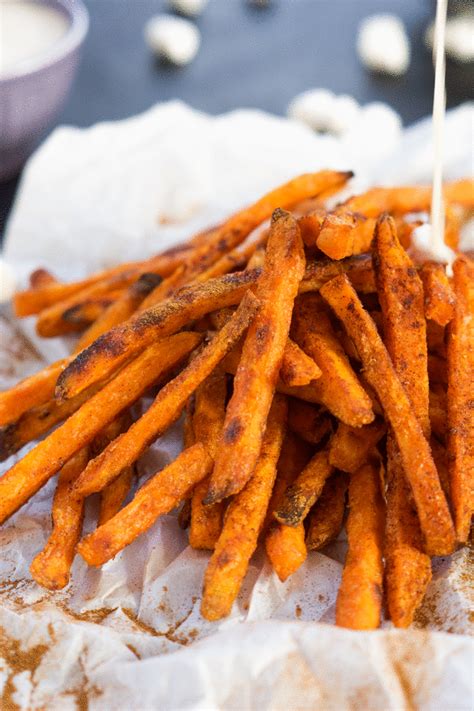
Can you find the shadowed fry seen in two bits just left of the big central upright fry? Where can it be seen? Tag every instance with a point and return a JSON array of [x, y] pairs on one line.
[[209, 413]]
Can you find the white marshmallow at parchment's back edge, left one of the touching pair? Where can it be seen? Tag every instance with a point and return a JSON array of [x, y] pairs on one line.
[[322, 110]]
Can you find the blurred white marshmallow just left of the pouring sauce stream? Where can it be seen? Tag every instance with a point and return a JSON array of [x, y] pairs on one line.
[[383, 45]]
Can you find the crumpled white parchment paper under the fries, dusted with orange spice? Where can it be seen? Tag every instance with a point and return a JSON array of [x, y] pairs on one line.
[[129, 636]]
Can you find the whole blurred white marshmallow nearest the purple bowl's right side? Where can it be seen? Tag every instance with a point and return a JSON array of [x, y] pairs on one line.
[[173, 38]]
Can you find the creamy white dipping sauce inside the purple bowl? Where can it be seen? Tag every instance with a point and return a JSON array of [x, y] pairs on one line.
[[27, 30]]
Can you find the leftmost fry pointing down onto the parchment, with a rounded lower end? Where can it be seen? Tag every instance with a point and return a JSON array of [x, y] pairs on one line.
[[51, 567]]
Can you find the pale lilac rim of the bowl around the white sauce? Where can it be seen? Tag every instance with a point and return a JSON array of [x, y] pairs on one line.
[[71, 40]]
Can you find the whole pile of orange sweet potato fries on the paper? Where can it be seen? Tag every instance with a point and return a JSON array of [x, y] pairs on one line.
[[325, 377]]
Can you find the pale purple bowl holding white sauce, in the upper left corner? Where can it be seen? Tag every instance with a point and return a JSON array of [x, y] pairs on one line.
[[32, 94]]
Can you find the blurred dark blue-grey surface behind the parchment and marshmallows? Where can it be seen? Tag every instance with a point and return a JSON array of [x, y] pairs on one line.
[[250, 57]]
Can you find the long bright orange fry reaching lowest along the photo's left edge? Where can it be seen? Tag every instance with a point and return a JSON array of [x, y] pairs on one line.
[[28, 475]]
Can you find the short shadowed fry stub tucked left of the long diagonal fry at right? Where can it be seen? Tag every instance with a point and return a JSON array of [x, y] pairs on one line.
[[351, 446]]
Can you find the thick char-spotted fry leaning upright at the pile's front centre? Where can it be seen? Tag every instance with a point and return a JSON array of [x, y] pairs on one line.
[[262, 354]]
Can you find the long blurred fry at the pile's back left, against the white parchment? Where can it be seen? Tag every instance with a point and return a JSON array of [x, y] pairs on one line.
[[32, 301]]
